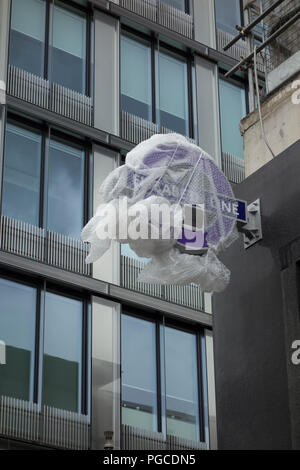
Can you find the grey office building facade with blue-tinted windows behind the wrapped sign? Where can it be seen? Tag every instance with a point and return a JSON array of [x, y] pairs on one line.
[[89, 350]]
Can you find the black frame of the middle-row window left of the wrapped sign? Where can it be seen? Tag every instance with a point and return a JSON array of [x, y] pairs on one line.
[[43, 130]]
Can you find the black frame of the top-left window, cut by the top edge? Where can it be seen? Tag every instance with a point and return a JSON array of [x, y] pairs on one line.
[[88, 14]]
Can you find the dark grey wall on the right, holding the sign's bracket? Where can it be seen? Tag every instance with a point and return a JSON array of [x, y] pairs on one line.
[[257, 318]]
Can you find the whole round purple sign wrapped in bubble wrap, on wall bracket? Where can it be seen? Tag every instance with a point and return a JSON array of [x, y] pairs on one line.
[[172, 204]]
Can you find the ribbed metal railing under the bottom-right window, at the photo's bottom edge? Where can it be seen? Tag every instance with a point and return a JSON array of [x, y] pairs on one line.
[[140, 439]]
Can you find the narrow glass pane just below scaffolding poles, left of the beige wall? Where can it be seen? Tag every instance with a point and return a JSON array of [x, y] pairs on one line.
[[232, 109]]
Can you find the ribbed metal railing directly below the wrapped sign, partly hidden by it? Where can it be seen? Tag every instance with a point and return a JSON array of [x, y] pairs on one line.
[[189, 296]]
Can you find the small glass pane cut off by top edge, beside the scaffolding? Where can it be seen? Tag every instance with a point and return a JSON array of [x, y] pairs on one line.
[[228, 15]]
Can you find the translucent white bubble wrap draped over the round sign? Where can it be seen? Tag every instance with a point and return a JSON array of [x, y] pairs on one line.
[[169, 169]]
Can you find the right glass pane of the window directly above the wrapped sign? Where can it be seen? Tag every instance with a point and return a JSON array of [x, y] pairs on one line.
[[173, 94]]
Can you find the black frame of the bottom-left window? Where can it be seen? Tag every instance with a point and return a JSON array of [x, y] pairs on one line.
[[39, 286]]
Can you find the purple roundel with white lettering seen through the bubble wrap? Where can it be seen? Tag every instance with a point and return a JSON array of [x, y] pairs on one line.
[[188, 176]]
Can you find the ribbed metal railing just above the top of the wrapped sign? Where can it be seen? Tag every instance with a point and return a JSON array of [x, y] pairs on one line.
[[135, 129]]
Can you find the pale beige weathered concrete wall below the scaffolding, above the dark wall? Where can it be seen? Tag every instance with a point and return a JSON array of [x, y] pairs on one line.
[[281, 122]]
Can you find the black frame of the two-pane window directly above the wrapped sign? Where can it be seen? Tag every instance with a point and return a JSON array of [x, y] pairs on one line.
[[155, 45]]
